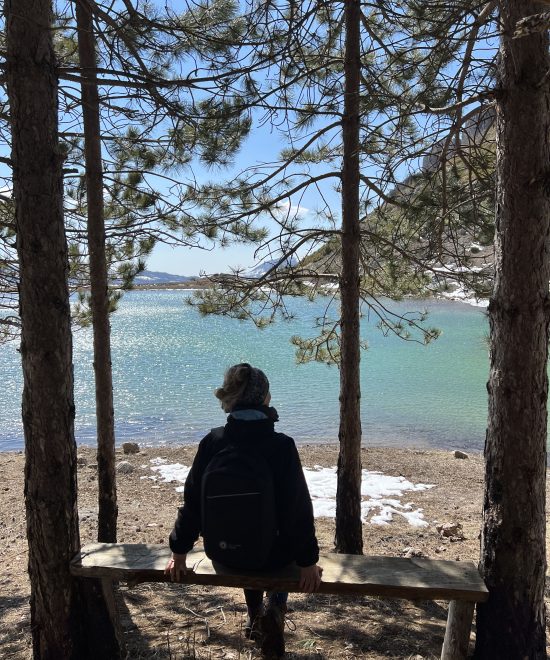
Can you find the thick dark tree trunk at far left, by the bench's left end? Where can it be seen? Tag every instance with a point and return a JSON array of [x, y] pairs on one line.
[[59, 612]]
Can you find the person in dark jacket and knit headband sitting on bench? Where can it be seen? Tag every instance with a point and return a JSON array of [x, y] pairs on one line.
[[247, 495]]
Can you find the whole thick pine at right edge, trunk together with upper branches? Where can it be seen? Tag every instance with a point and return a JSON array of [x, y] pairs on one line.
[[513, 562]]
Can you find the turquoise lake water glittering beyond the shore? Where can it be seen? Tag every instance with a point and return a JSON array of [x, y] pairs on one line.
[[167, 360]]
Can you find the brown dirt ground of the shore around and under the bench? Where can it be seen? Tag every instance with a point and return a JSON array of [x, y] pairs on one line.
[[176, 622]]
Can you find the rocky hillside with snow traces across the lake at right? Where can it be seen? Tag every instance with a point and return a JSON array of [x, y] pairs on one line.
[[436, 237]]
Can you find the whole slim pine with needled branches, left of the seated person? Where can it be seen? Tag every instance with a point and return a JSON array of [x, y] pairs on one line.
[[136, 213]]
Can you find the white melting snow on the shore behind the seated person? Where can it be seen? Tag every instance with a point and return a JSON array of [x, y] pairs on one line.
[[380, 493]]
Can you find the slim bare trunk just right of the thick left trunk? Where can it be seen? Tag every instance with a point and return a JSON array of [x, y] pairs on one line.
[[108, 509]]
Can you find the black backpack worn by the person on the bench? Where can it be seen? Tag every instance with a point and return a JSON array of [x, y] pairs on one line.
[[239, 517]]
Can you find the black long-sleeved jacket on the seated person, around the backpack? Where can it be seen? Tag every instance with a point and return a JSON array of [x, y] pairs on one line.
[[296, 540]]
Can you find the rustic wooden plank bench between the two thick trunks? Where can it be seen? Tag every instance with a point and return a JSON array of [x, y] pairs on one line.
[[387, 577]]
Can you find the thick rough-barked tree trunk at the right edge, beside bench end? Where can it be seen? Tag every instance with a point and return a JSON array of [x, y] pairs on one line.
[[512, 623]]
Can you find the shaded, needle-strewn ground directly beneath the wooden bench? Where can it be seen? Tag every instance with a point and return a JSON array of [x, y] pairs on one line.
[[179, 622]]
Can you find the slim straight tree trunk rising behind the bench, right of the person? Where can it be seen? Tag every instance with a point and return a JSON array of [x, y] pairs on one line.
[[349, 532]]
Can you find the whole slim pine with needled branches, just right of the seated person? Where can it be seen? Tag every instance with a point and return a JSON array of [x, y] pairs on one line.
[[313, 98]]
